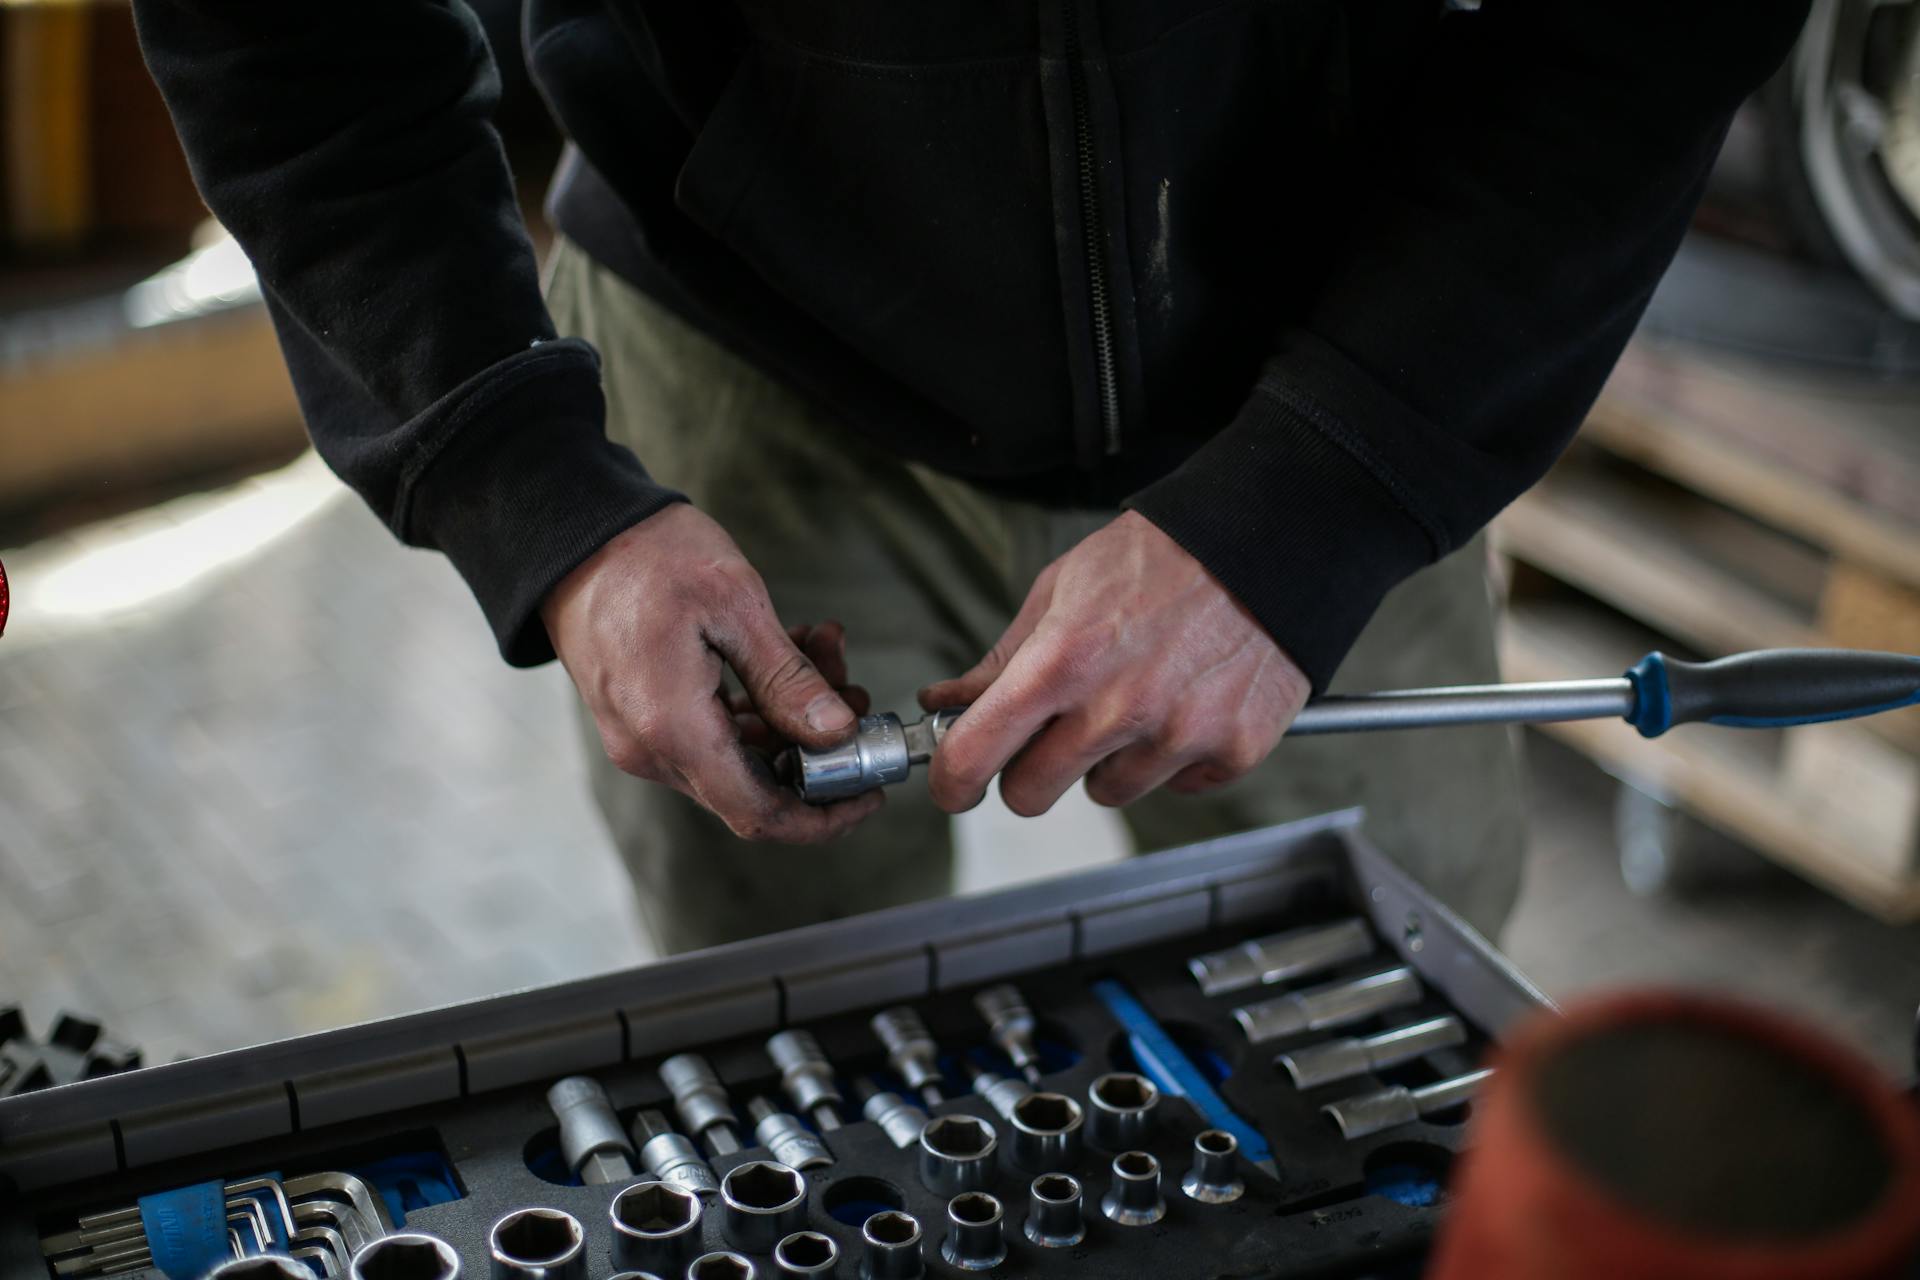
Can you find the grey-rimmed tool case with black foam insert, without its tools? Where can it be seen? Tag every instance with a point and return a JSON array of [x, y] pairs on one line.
[[471, 1079]]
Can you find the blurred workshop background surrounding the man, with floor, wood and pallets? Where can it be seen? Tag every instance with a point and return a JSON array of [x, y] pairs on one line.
[[262, 770]]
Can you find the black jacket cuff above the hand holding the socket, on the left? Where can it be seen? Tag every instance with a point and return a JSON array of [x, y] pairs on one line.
[[525, 486]]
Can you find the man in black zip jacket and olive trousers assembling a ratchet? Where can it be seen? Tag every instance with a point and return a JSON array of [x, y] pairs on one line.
[[1168, 335]]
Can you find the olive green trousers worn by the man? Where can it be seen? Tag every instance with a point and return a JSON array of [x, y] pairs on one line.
[[926, 571]]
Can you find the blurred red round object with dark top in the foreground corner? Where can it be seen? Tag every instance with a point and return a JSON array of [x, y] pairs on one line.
[[1669, 1137]]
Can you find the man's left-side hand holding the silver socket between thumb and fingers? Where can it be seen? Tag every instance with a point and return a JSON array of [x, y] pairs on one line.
[[644, 628]]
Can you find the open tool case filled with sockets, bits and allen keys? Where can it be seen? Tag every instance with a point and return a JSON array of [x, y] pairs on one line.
[[1245, 1058]]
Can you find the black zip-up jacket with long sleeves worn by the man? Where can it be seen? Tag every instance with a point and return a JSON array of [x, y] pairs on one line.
[[1314, 285]]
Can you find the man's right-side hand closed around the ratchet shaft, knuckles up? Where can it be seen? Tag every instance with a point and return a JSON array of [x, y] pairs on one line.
[[1128, 665]]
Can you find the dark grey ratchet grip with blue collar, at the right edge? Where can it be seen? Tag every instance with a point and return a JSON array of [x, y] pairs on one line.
[[1771, 688]]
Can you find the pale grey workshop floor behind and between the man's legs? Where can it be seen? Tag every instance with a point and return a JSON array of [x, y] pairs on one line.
[[262, 772]]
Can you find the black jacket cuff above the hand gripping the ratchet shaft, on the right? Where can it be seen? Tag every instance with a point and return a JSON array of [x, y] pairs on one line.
[[1297, 517]]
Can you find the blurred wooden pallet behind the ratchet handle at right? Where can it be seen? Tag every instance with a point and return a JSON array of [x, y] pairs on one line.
[[1710, 510]]
